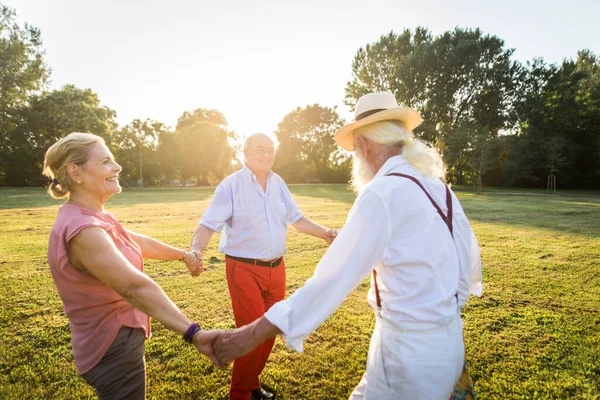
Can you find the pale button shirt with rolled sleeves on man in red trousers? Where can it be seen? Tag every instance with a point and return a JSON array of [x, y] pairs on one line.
[[255, 221]]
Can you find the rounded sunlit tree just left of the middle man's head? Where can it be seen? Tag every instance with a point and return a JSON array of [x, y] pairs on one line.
[[206, 152]]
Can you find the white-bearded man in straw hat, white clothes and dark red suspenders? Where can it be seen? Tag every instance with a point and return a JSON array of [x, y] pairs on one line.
[[410, 231]]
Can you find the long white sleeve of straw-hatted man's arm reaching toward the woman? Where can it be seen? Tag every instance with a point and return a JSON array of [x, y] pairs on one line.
[[359, 246]]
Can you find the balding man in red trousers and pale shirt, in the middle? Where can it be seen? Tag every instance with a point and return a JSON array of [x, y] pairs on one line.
[[255, 207]]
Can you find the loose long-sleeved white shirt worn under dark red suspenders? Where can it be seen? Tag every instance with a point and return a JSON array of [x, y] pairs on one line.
[[394, 228]]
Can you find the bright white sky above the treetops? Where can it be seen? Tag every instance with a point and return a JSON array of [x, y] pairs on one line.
[[255, 61]]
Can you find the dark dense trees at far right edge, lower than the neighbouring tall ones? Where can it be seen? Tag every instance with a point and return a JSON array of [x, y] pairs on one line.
[[559, 113]]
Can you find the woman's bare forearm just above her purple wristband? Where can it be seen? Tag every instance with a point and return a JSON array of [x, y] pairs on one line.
[[149, 298]]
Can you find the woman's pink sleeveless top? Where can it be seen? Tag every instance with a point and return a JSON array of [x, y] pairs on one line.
[[95, 311]]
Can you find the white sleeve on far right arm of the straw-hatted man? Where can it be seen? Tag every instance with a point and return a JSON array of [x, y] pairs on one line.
[[469, 258]]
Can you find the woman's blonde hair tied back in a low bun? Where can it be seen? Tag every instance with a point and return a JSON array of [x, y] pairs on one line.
[[72, 149]]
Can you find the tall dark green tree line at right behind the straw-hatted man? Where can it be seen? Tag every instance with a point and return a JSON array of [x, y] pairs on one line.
[[495, 120]]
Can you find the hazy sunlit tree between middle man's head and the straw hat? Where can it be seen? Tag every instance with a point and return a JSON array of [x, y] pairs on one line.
[[306, 137]]
